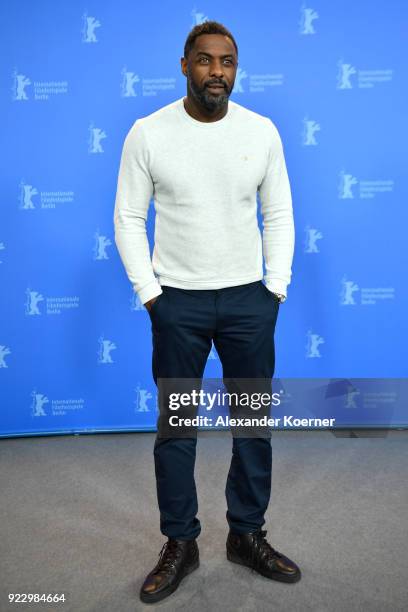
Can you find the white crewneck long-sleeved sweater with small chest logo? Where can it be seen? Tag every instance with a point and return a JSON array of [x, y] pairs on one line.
[[204, 179]]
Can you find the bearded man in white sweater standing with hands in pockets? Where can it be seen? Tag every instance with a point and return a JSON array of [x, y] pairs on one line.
[[203, 158]]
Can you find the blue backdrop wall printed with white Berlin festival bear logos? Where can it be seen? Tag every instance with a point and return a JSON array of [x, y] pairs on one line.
[[75, 343]]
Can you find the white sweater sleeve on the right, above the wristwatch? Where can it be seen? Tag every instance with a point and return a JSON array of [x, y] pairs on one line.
[[278, 237]]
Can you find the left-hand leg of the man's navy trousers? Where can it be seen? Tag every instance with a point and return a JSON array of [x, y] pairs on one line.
[[181, 328]]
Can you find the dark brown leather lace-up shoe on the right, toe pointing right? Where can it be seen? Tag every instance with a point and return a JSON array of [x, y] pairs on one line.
[[252, 549]]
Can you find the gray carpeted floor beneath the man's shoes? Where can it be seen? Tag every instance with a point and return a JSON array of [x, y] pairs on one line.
[[79, 516]]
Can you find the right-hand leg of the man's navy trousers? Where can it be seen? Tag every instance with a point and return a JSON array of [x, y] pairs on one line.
[[244, 339]]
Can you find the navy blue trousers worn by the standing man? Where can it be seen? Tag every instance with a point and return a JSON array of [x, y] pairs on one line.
[[240, 320]]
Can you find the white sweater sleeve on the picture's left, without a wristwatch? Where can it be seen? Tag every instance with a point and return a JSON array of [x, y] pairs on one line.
[[134, 192]]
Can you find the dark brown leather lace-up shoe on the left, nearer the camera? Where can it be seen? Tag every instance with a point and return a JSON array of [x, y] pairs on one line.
[[177, 558]]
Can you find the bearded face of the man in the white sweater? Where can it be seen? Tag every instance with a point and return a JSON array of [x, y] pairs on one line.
[[210, 69]]
